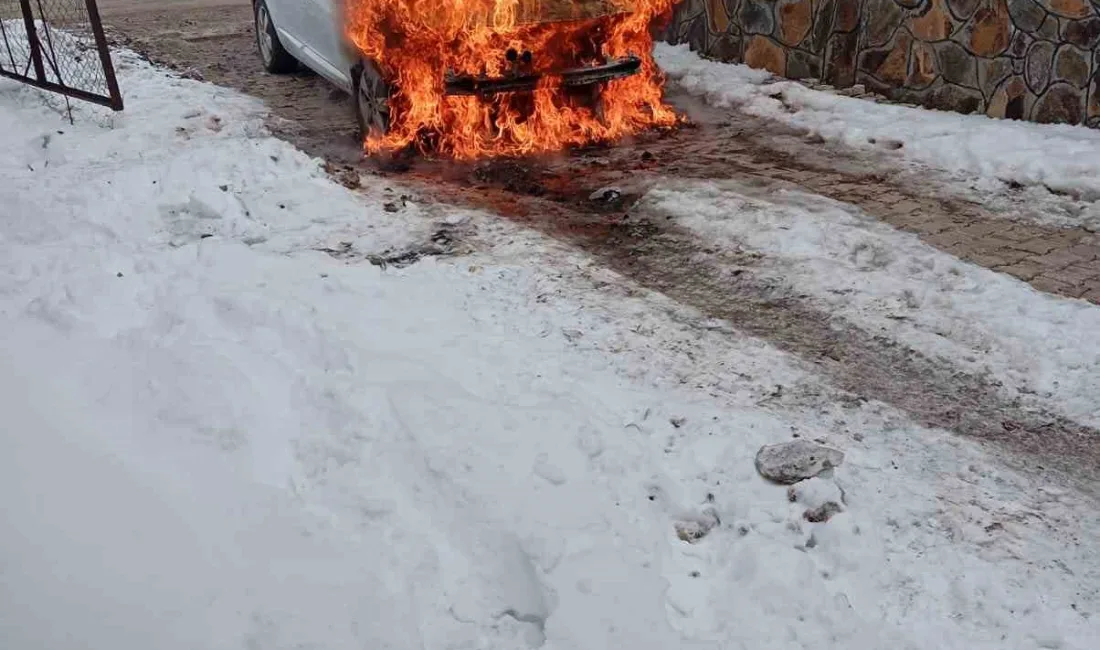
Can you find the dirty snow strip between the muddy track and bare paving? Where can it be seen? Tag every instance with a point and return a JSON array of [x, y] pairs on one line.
[[892, 284]]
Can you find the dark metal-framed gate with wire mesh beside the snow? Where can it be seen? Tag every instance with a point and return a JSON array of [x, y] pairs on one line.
[[59, 46]]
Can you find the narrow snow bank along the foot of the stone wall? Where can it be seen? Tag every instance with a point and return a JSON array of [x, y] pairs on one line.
[[1059, 157]]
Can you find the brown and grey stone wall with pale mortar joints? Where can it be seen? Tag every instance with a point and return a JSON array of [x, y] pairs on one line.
[[1036, 60]]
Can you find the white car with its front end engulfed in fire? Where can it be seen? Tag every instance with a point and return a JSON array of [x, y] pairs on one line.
[[470, 79]]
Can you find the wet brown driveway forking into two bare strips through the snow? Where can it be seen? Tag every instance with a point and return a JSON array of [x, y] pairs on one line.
[[214, 40]]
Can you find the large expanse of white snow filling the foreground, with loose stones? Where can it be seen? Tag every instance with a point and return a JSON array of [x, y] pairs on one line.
[[218, 437]]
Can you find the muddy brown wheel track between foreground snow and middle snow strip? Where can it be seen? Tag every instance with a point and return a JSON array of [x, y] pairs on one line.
[[723, 284]]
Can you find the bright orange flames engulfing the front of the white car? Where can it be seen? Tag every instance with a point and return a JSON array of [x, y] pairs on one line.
[[415, 43]]
